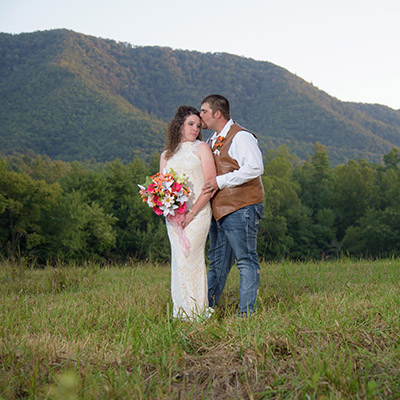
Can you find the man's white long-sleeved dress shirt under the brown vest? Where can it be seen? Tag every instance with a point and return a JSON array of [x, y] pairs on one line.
[[244, 149]]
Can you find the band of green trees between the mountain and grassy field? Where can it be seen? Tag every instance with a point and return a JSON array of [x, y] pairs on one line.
[[54, 210]]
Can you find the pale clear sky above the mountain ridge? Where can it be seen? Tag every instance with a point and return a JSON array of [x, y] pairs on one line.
[[350, 49]]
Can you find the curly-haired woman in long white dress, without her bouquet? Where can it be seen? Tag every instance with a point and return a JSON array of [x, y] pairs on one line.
[[186, 154]]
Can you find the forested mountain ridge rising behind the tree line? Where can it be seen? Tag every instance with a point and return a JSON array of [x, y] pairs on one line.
[[78, 97]]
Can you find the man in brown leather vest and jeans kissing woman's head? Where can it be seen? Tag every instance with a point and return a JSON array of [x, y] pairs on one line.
[[237, 204]]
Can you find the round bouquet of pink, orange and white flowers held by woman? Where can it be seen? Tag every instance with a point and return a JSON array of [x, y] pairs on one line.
[[166, 193]]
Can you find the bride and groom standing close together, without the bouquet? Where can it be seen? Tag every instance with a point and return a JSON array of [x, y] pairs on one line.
[[226, 203]]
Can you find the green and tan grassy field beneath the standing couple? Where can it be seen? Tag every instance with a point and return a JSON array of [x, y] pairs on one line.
[[326, 330]]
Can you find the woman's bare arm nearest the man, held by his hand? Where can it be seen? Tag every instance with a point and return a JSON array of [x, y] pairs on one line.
[[209, 171]]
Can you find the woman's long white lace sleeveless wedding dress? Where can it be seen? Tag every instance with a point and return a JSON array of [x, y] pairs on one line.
[[188, 272]]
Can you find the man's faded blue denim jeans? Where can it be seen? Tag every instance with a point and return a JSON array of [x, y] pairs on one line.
[[234, 237]]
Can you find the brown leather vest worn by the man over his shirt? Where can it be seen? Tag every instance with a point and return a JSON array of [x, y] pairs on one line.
[[228, 200]]
